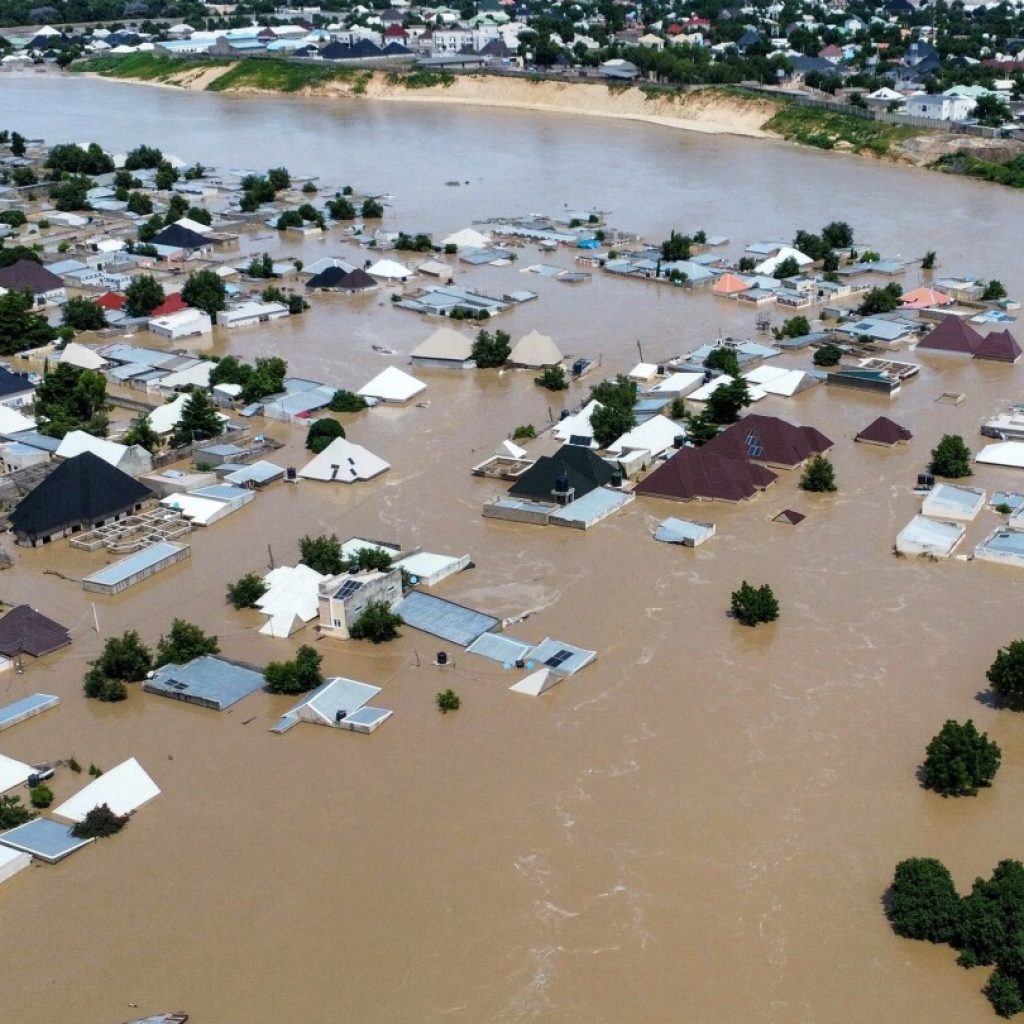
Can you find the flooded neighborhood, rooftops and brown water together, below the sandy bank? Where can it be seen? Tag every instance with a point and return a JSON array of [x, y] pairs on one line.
[[689, 820]]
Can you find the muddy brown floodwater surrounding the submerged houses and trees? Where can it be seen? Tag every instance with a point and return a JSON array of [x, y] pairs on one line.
[[700, 827]]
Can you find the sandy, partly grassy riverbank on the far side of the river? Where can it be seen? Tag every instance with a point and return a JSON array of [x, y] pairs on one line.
[[713, 110]]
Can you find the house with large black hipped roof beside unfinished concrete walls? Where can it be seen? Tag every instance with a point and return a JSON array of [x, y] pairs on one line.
[[81, 494]]
